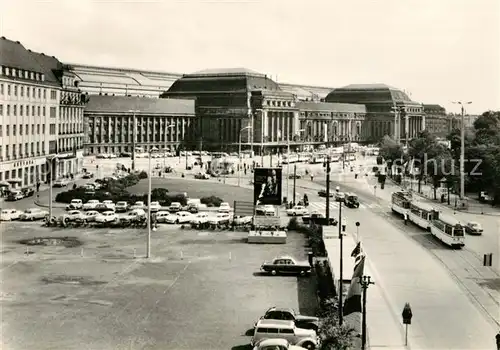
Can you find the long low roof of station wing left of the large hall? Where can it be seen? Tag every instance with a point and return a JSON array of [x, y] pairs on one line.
[[144, 105]]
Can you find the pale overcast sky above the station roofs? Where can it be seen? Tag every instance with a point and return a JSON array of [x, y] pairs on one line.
[[438, 50]]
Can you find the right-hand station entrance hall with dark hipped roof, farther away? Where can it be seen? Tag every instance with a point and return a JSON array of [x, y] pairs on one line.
[[381, 101]]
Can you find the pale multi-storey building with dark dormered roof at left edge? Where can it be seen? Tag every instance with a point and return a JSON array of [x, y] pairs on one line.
[[30, 109]]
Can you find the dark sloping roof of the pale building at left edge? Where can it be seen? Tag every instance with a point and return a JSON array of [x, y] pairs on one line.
[[14, 54]]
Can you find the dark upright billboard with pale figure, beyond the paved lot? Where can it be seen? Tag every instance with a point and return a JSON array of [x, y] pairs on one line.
[[267, 186]]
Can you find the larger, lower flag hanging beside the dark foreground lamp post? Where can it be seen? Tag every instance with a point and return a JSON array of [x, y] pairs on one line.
[[352, 307]]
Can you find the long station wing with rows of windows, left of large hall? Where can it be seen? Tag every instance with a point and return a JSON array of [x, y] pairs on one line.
[[159, 123]]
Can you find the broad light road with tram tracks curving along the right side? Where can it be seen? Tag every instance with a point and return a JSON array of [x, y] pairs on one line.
[[445, 287]]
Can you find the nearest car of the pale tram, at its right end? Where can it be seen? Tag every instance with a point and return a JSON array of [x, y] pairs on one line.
[[448, 230]]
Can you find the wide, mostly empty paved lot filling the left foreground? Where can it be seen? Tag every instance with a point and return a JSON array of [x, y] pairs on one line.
[[200, 290]]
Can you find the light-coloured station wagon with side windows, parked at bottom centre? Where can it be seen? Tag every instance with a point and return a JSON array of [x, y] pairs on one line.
[[265, 329]]
